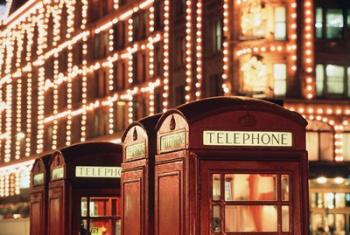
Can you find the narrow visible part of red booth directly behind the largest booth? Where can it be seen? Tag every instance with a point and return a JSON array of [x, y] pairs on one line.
[[139, 144]]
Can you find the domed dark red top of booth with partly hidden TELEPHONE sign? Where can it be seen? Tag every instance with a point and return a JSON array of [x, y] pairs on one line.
[[85, 155]]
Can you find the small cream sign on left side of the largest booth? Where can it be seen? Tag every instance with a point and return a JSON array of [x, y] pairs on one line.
[[173, 141]]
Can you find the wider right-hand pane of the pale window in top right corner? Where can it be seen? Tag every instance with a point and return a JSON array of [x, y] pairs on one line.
[[335, 23]]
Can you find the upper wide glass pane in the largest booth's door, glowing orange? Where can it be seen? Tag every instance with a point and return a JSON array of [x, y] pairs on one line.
[[250, 187]]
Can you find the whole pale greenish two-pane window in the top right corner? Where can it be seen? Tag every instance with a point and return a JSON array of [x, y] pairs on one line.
[[329, 23]]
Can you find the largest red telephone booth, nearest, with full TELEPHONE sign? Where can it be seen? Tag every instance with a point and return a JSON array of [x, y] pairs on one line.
[[231, 166]]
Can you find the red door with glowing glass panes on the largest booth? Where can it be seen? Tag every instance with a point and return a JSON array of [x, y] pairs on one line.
[[250, 197]]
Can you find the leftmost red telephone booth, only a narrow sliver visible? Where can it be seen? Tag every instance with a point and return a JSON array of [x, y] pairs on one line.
[[38, 196]]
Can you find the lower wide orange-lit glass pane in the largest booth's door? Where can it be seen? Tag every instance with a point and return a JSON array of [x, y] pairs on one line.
[[250, 219]]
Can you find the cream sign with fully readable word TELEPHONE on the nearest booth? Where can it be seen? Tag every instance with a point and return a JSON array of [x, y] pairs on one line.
[[247, 138]]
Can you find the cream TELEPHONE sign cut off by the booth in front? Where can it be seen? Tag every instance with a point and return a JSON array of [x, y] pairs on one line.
[[97, 172]]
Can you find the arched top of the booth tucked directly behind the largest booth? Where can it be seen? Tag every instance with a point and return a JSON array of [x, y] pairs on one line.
[[135, 139]]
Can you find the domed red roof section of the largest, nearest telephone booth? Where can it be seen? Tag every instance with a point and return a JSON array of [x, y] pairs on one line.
[[227, 114]]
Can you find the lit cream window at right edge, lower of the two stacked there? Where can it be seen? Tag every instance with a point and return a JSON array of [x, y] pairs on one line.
[[332, 80]]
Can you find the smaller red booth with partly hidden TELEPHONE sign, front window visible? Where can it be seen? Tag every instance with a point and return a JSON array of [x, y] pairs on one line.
[[84, 190]]
